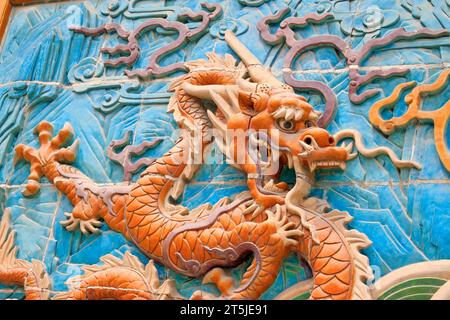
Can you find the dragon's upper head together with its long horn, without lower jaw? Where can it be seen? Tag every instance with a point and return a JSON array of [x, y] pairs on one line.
[[289, 121]]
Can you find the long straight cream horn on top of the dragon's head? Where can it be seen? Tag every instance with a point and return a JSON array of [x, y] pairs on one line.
[[257, 72]]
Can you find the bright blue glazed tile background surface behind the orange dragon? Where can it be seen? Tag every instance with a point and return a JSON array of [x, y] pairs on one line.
[[48, 72]]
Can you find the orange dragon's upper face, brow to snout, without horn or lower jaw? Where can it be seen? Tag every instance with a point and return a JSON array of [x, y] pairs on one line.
[[291, 124]]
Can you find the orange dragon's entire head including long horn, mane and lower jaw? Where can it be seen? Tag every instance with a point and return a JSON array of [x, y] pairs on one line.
[[261, 124]]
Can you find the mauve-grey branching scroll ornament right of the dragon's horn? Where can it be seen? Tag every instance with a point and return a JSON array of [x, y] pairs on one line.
[[354, 58]]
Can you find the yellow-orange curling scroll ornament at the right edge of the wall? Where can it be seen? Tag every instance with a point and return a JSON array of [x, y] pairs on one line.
[[439, 117]]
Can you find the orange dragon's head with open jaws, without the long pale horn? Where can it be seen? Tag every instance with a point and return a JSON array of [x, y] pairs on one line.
[[279, 129]]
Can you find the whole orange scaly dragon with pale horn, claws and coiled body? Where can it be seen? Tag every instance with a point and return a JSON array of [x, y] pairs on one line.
[[267, 222]]
